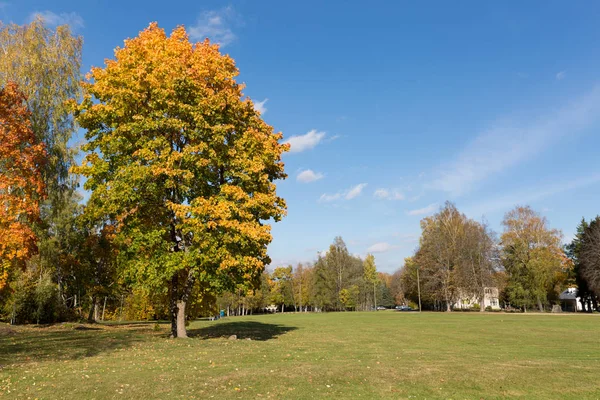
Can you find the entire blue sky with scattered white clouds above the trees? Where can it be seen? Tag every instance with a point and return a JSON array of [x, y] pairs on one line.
[[392, 108]]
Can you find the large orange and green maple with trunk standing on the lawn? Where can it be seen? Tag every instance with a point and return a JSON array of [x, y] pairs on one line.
[[182, 165]]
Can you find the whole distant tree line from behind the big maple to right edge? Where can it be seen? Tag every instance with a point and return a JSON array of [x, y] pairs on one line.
[[457, 260]]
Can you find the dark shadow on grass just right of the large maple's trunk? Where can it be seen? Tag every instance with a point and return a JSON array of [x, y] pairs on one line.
[[242, 329]]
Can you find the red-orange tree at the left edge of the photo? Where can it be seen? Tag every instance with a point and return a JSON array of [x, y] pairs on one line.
[[22, 158]]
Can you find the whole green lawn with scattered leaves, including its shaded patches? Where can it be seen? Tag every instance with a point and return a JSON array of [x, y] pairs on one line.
[[304, 356]]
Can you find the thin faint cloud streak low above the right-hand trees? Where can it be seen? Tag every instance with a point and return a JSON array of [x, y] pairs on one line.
[[530, 195]]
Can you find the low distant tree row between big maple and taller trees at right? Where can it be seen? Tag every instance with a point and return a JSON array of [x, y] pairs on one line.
[[337, 281]]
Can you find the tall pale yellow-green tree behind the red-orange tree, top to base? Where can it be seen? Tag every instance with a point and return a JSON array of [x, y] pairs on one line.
[[45, 63]]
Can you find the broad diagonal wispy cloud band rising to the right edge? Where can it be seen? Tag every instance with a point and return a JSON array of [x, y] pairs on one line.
[[504, 146]]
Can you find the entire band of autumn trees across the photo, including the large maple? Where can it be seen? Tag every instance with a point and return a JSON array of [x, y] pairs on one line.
[[181, 171]]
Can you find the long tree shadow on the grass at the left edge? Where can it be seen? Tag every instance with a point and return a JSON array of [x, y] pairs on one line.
[[65, 343]]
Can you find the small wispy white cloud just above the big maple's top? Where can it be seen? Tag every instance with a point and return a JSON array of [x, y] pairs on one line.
[[215, 25]]
